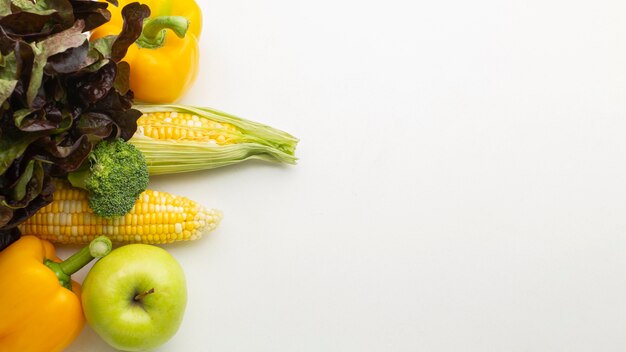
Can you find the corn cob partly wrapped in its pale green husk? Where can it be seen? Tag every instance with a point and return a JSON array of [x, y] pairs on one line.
[[176, 138]]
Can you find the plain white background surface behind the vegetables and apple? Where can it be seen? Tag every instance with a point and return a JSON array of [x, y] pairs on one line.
[[461, 183]]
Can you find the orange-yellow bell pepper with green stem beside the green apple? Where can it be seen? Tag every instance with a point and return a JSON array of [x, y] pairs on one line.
[[40, 304]]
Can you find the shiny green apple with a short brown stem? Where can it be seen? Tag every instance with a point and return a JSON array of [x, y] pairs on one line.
[[135, 297]]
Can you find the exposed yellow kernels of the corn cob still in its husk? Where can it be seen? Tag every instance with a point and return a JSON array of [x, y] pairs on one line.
[[180, 126]]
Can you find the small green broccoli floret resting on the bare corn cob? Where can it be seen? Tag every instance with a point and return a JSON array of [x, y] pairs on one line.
[[115, 175]]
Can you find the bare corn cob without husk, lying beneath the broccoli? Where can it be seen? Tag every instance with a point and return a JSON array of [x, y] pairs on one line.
[[157, 217]]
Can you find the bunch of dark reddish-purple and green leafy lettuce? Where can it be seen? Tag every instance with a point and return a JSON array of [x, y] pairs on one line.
[[59, 96]]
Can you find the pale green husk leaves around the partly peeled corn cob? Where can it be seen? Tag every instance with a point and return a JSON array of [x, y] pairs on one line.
[[253, 141]]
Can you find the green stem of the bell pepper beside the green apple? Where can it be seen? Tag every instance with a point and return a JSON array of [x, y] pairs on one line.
[[98, 248]]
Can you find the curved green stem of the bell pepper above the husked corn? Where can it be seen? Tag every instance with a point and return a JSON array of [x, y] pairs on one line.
[[154, 30]]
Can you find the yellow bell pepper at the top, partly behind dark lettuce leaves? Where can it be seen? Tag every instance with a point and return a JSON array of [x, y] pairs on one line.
[[163, 64]]
